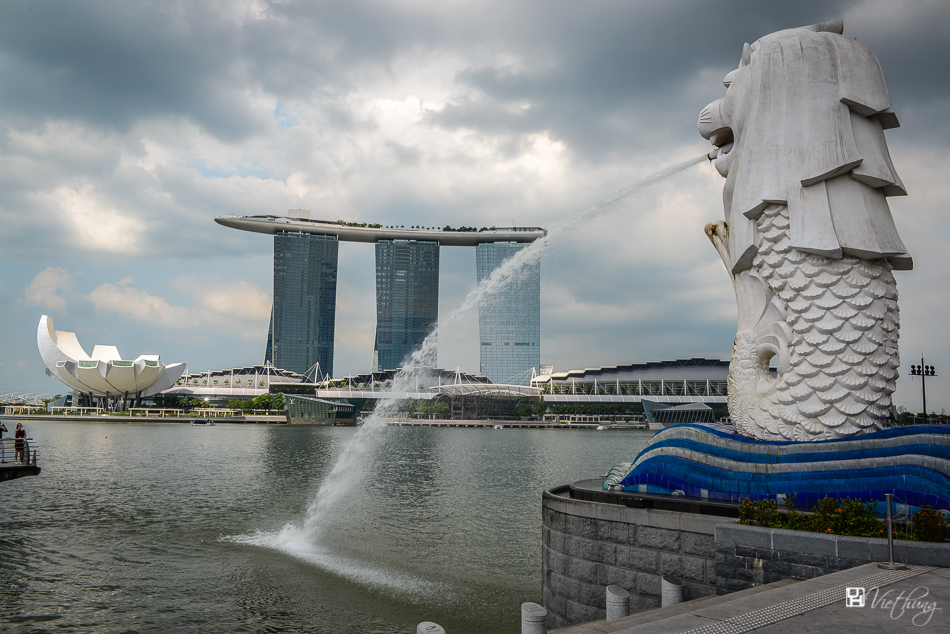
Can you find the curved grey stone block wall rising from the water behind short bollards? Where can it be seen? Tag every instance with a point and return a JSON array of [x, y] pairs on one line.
[[587, 546]]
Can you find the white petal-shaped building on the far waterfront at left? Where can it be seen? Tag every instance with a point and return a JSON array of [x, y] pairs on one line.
[[104, 373]]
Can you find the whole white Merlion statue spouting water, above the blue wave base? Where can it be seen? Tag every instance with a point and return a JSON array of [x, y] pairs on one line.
[[808, 235]]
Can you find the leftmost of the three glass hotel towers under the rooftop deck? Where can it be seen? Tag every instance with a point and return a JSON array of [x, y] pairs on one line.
[[303, 318]]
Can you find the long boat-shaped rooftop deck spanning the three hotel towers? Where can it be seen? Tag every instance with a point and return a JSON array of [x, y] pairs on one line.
[[348, 233]]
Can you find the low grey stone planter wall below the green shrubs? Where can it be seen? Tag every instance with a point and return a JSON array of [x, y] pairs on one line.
[[748, 556]]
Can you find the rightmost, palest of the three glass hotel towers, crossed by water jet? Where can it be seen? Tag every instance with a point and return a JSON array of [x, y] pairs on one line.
[[509, 320]]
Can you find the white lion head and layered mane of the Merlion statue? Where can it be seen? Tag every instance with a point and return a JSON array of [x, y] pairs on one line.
[[802, 124]]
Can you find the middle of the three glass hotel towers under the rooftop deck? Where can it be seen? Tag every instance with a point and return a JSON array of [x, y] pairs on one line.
[[407, 300]]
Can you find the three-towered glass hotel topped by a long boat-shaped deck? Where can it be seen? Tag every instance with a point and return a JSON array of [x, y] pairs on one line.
[[303, 317]]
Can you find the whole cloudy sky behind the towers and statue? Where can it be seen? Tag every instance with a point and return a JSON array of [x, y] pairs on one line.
[[125, 128]]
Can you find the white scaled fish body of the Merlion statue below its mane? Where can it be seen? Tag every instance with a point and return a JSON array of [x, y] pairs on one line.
[[841, 325]]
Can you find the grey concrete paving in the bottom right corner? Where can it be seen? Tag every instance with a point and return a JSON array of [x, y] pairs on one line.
[[916, 600]]
